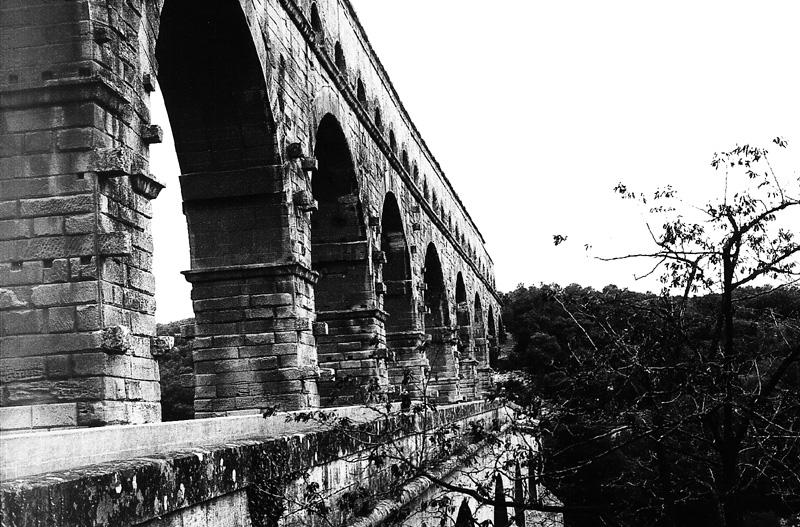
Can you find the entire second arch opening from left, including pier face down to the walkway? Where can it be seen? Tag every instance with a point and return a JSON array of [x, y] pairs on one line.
[[345, 293]]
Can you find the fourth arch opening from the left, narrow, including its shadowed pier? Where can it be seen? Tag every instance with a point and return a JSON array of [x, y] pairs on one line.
[[441, 352]]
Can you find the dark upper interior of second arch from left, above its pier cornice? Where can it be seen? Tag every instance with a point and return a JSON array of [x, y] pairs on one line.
[[338, 233]]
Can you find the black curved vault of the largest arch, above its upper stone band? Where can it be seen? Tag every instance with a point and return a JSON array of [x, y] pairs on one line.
[[213, 87]]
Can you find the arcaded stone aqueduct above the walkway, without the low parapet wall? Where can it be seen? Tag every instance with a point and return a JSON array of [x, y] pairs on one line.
[[327, 246]]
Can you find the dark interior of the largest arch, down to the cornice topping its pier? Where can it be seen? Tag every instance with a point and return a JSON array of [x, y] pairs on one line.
[[215, 94]]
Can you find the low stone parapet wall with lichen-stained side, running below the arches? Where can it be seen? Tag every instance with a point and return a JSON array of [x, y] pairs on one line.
[[229, 480]]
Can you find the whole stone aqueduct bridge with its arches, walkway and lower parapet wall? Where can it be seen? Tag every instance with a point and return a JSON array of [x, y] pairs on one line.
[[330, 258]]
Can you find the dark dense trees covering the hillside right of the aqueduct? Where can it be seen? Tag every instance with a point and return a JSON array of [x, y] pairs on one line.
[[627, 384]]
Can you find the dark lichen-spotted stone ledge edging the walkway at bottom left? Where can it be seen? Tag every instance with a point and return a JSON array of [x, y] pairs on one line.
[[134, 490]]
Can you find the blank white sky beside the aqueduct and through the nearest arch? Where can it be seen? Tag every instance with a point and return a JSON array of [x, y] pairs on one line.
[[536, 109]]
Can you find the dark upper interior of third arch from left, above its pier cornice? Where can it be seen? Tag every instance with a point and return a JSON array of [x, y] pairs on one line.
[[398, 301]]
